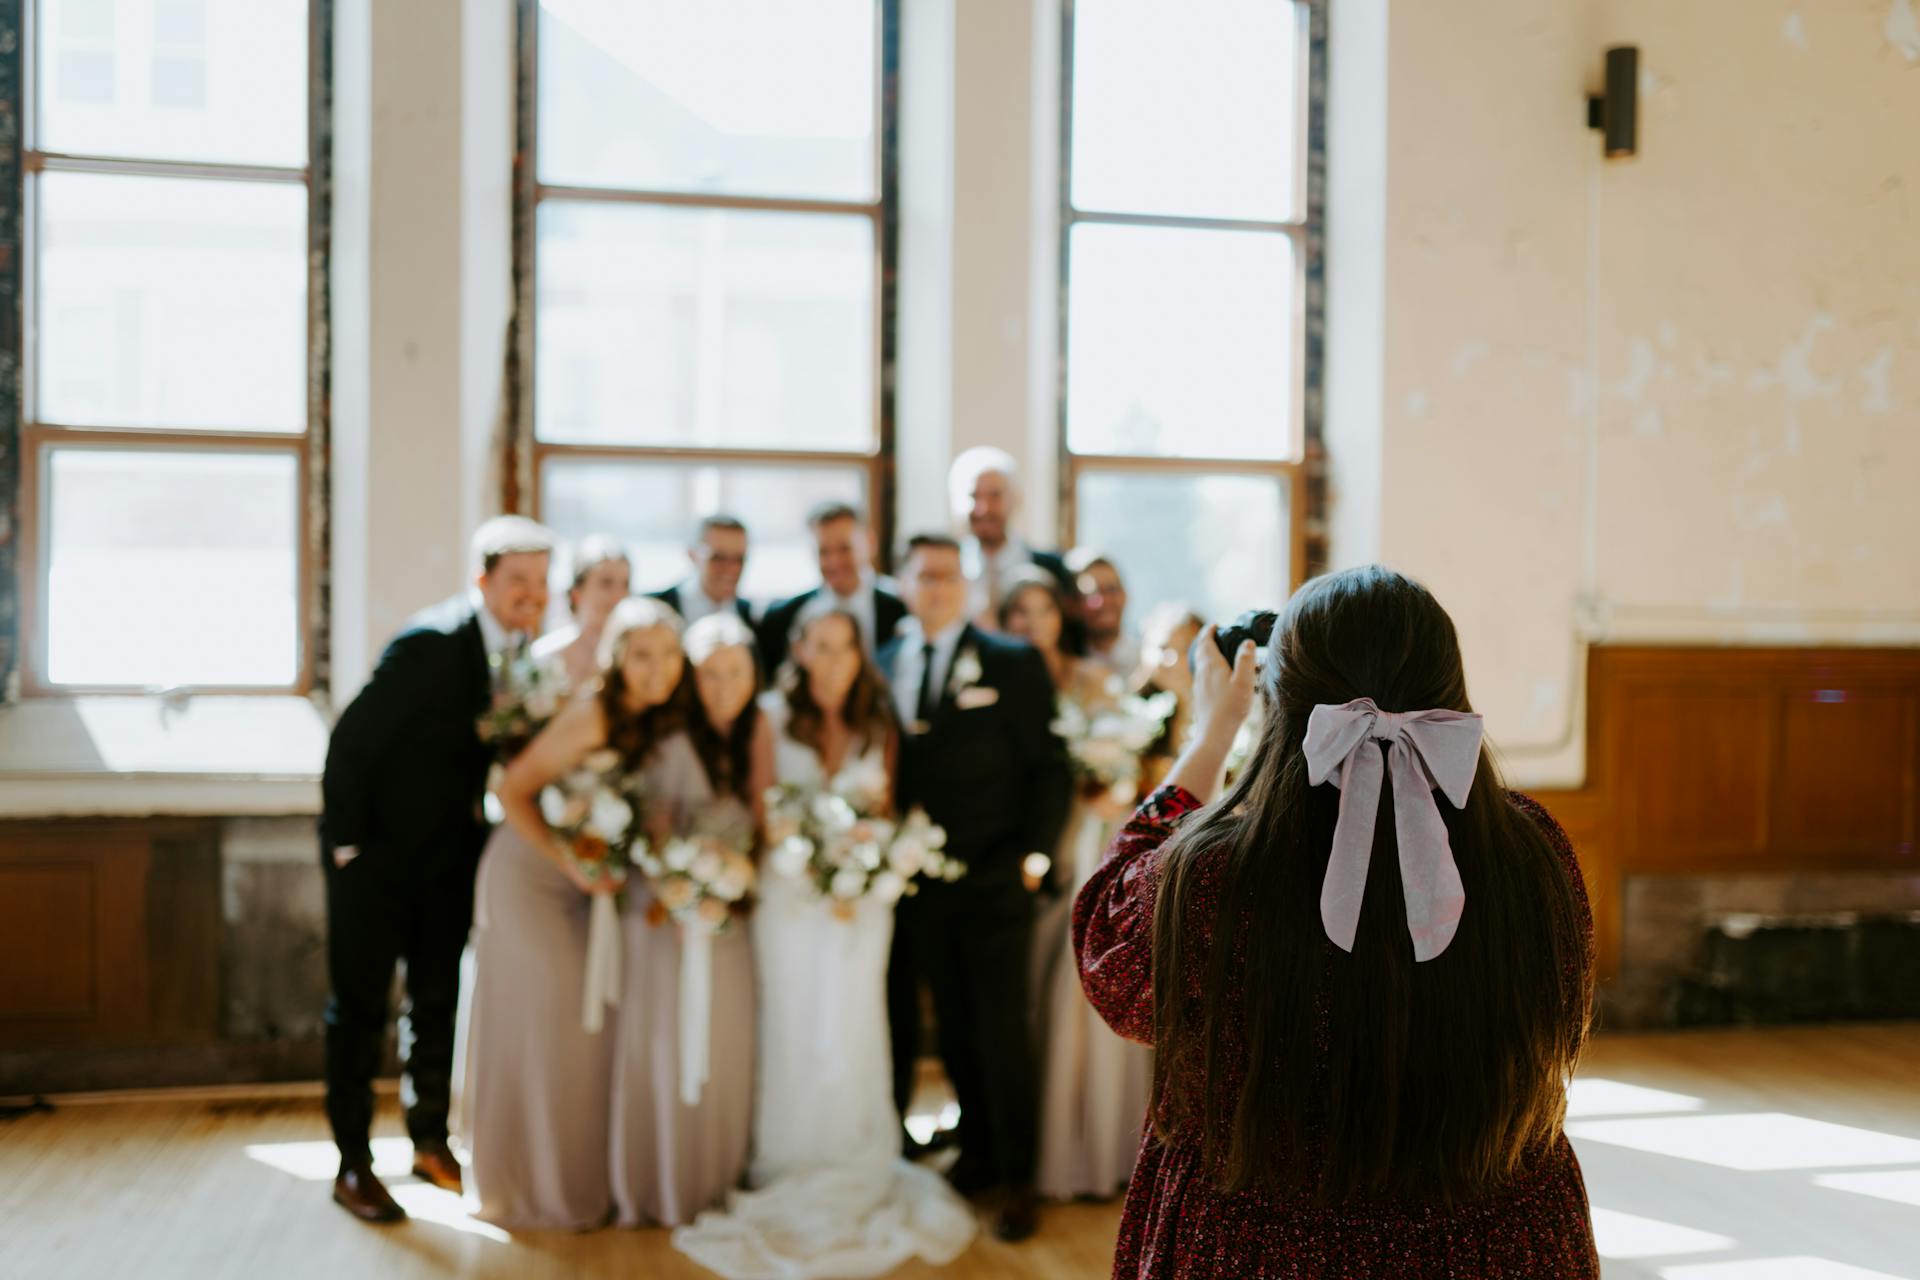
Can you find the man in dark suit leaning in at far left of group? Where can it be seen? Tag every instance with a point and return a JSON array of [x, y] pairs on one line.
[[400, 840]]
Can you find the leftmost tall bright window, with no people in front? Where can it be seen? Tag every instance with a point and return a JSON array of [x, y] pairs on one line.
[[168, 344]]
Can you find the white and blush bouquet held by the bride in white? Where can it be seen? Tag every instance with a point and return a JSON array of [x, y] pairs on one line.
[[836, 841]]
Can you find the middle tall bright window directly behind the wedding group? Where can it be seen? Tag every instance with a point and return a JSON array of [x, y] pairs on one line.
[[711, 258]]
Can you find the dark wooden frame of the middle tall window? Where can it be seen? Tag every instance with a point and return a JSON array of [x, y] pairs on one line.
[[527, 452]]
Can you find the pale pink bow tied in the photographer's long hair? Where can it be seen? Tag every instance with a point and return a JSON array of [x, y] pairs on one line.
[[1426, 751]]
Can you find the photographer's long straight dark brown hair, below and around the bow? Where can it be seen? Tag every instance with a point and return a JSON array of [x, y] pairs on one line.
[[1362, 1076]]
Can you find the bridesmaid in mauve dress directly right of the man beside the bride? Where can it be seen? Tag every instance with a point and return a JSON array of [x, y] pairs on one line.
[[1093, 1085]]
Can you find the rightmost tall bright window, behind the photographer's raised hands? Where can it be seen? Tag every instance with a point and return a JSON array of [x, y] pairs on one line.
[[1184, 249]]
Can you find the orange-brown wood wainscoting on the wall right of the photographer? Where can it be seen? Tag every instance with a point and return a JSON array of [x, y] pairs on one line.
[[1721, 761]]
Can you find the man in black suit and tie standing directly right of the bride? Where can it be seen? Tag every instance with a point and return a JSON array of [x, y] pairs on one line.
[[980, 757]]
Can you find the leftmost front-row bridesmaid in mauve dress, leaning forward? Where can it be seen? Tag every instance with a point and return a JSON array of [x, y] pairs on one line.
[[537, 1081]]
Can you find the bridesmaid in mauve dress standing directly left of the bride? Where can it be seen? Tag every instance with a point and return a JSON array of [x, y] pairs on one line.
[[673, 1160]]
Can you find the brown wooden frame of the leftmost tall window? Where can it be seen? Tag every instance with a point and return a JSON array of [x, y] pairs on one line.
[[36, 439]]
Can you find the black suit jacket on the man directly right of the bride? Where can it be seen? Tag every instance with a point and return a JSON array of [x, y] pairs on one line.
[[994, 774]]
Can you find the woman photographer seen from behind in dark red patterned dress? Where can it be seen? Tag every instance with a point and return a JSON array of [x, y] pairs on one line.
[[1366, 970]]
